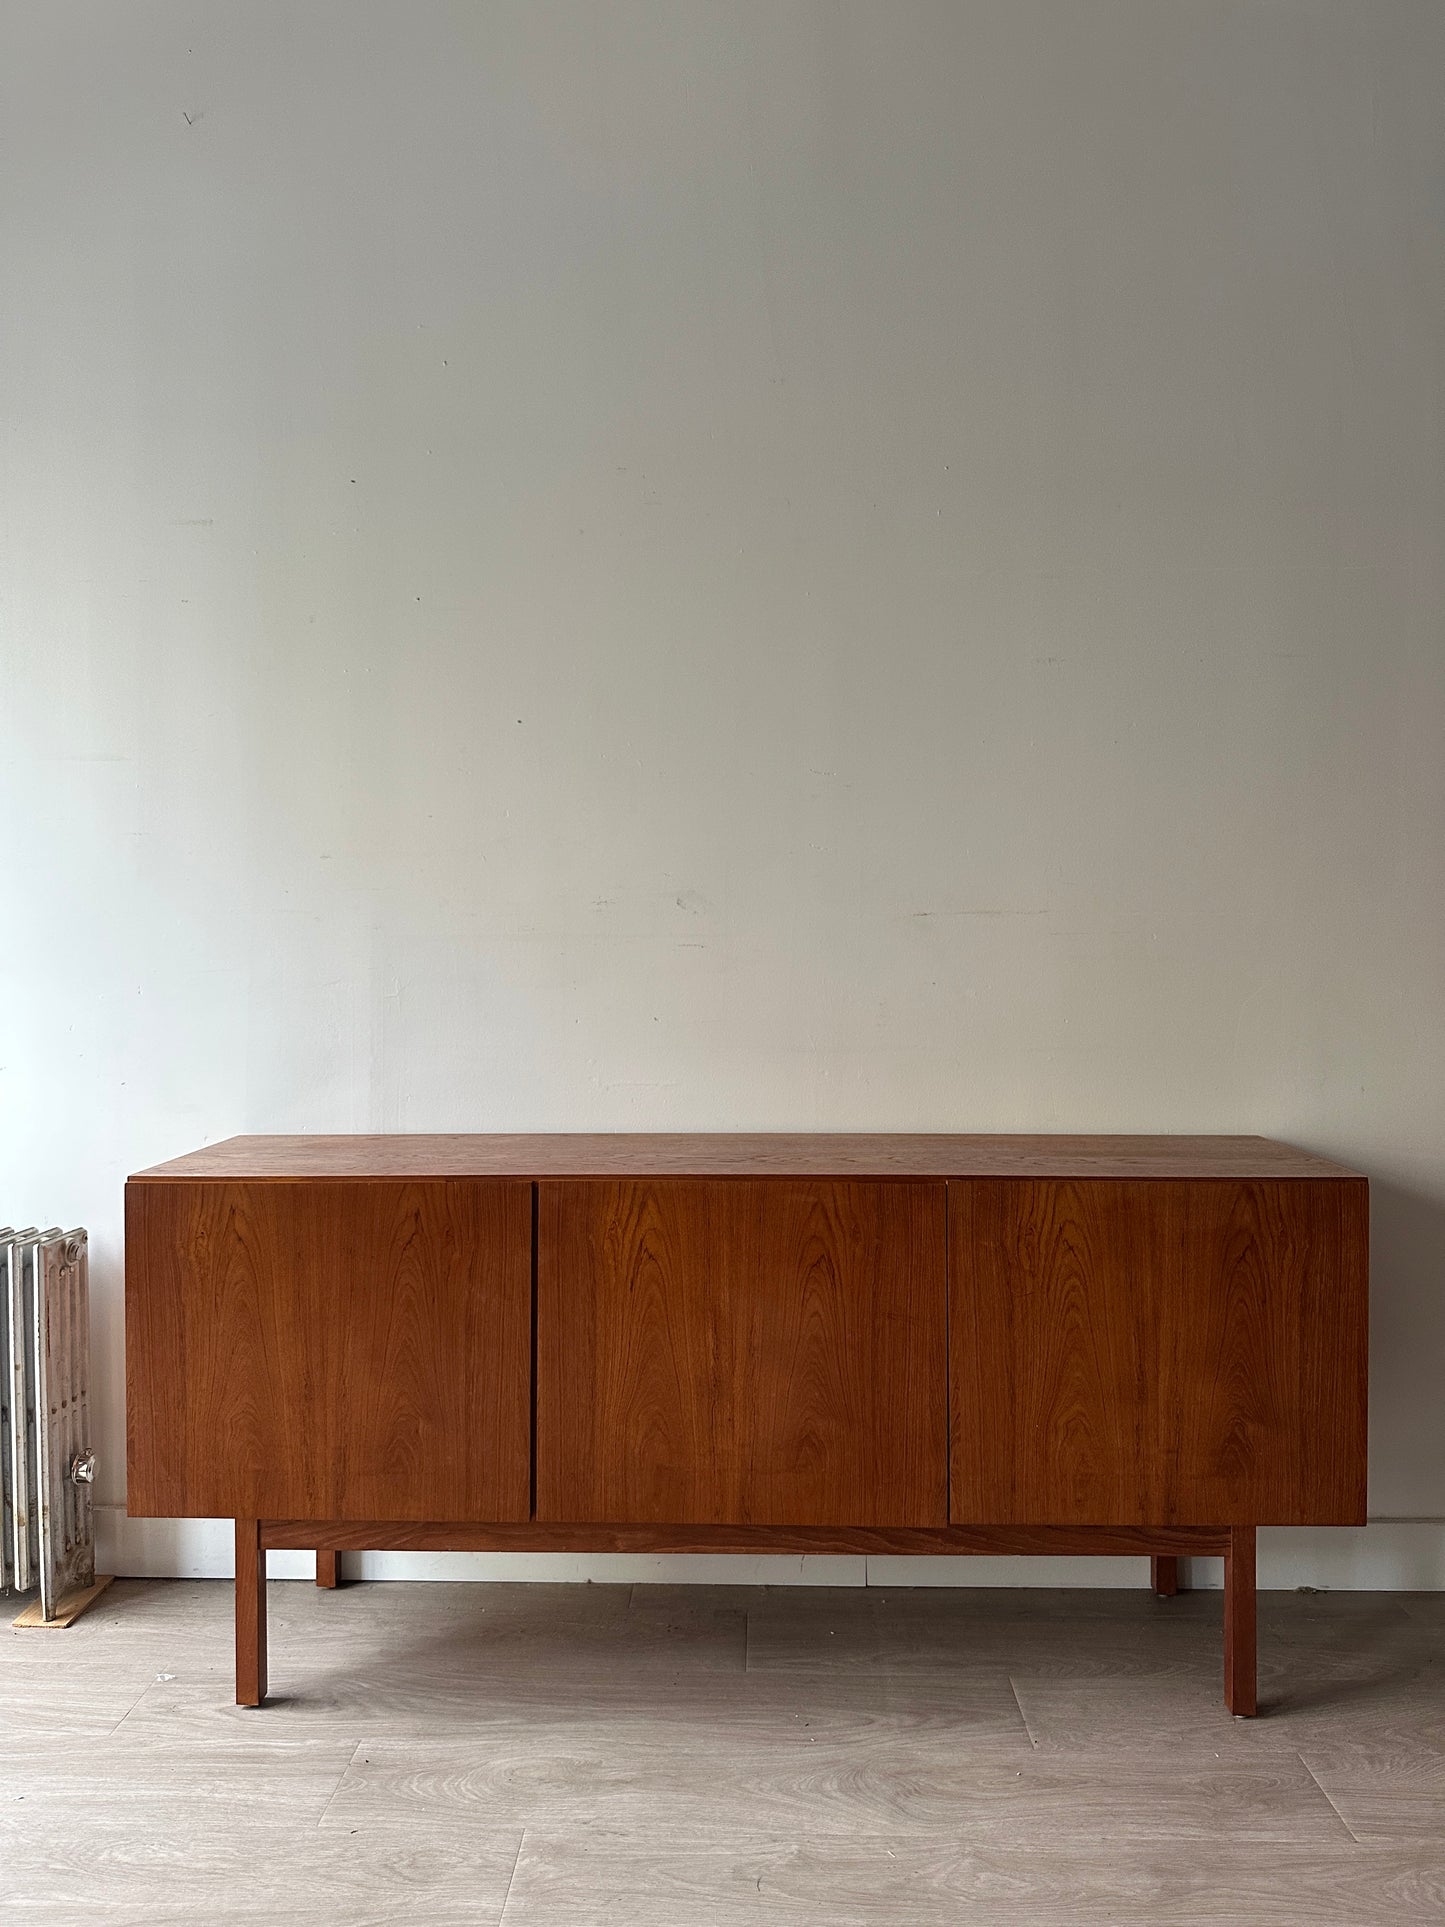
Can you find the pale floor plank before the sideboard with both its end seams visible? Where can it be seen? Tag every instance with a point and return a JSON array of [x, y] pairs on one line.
[[691, 1783]]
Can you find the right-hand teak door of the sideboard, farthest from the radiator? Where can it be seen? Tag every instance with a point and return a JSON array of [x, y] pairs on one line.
[[1159, 1354]]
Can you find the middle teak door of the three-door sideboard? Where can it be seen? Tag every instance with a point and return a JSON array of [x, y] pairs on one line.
[[743, 1354]]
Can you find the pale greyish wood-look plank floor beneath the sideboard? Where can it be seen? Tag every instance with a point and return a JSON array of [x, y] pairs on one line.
[[554, 1756]]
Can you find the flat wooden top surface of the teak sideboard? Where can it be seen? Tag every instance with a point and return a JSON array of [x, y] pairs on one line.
[[741, 1155]]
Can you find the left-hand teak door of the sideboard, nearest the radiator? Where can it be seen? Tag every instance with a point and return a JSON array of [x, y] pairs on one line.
[[330, 1350]]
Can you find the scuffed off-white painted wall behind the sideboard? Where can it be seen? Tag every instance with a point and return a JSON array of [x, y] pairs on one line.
[[729, 566]]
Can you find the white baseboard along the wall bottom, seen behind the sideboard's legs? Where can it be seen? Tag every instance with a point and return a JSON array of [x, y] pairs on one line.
[[1386, 1556]]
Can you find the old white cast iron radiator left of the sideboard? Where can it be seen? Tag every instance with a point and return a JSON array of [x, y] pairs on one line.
[[47, 1467]]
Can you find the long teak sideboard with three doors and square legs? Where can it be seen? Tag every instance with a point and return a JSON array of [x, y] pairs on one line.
[[716, 1344]]
